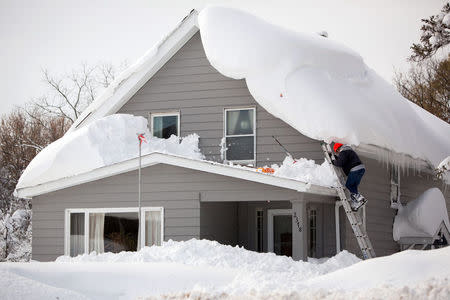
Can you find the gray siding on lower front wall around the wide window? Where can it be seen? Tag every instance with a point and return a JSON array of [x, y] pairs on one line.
[[176, 189]]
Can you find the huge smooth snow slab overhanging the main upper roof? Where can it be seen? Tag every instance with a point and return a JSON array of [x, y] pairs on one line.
[[321, 88]]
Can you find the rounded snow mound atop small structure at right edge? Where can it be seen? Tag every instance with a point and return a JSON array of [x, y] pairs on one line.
[[422, 216]]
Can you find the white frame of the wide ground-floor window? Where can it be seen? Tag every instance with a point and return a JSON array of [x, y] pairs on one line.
[[87, 211]]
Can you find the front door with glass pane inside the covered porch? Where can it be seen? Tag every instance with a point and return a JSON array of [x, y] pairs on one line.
[[279, 231]]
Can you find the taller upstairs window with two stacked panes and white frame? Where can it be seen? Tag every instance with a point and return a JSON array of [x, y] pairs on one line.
[[240, 134]]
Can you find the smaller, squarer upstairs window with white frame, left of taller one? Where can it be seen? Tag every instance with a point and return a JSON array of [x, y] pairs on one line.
[[165, 124]]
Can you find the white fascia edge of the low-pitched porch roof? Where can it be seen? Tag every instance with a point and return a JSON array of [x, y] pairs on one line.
[[151, 159]]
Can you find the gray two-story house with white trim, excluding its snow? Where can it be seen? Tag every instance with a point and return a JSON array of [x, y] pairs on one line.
[[177, 89]]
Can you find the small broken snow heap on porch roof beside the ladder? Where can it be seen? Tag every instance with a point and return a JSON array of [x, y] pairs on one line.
[[306, 170]]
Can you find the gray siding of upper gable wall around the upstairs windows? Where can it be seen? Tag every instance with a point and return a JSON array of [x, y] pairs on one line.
[[188, 83]]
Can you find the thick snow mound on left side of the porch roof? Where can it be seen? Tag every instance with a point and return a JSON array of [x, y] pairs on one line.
[[103, 142]]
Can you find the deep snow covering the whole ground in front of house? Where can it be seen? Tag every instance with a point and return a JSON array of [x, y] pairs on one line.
[[205, 269]]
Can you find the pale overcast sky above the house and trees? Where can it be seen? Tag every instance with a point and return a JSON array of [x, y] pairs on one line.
[[60, 35]]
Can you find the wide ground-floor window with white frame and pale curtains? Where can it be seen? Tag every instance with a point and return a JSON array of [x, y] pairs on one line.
[[112, 229]]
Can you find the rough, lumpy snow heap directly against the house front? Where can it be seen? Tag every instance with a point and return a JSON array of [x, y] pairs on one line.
[[205, 253]]
